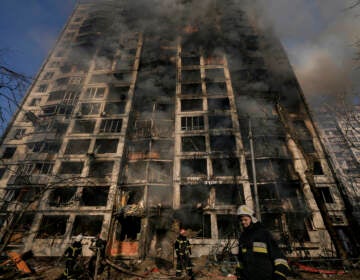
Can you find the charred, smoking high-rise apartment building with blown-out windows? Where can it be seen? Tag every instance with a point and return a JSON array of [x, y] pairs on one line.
[[135, 126]]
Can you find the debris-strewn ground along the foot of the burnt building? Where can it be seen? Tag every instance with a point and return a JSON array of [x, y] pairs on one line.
[[203, 269]]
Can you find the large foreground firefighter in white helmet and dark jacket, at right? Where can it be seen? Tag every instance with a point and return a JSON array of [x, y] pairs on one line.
[[260, 258]]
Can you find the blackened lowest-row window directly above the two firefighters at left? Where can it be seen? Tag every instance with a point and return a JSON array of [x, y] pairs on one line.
[[87, 225]]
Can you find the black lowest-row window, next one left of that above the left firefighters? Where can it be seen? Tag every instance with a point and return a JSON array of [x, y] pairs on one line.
[[52, 226]]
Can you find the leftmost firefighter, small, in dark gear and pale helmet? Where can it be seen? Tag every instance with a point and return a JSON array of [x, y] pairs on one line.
[[71, 254]]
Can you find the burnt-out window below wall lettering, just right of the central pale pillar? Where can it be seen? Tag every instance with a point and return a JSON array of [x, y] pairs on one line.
[[194, 195]]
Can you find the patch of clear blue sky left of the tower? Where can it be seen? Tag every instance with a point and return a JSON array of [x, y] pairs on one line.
[[28, 30]]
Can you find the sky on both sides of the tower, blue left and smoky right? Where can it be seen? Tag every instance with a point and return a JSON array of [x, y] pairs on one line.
[[318, 35]]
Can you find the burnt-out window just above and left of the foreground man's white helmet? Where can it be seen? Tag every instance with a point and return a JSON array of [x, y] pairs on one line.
[[229, 194]]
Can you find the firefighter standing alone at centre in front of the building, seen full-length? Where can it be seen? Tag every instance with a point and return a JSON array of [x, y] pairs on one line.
[[183, 252]]
